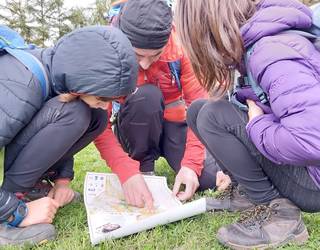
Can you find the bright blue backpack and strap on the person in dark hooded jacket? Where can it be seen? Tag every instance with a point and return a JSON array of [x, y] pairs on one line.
[[12, 43]]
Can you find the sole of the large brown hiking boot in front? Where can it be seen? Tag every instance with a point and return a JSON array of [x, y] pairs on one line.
[[298, 239]]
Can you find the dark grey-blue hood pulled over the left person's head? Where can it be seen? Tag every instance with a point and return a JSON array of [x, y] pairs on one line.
[[95, 60]]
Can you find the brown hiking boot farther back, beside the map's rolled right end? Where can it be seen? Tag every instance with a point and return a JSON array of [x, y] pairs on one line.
[[232, 199]]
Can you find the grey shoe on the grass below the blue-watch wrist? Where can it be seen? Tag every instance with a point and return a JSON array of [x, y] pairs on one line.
[[31, 235]]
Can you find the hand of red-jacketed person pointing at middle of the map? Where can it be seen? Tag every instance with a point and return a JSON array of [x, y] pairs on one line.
[[136, 192]]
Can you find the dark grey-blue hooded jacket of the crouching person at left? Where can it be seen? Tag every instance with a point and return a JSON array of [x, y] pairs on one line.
[[96, 60]]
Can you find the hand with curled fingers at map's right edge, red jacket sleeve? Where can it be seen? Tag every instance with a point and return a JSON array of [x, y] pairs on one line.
[[189, 178]]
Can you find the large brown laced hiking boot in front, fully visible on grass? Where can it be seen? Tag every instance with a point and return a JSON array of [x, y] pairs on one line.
[[265, 227]]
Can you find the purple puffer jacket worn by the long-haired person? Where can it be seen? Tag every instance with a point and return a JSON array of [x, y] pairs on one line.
[[287, 67]]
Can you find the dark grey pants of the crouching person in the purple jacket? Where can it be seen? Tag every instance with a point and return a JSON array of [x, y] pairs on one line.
[[221, 127]]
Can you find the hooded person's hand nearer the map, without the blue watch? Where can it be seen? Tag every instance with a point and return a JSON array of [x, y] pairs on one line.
[[62, 193]]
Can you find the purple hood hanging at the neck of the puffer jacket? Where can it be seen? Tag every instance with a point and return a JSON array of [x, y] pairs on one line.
[[274, 16]]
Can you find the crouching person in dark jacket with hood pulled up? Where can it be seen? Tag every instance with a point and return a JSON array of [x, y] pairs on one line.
[[85, 69]]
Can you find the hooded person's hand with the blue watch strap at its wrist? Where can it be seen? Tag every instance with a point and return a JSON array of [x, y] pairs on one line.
[[40, 211]]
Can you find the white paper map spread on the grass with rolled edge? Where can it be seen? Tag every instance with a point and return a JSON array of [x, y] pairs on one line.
[[109, 216]]
